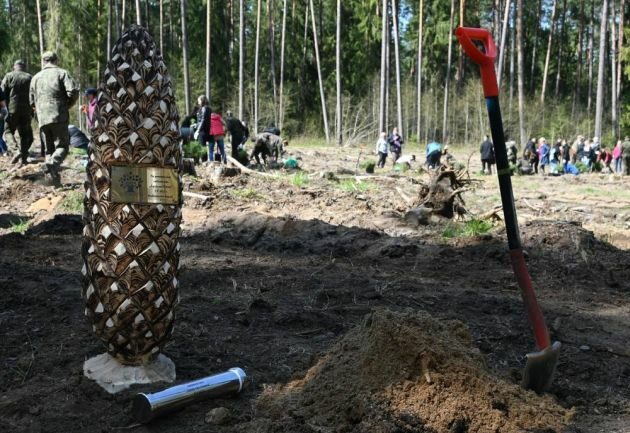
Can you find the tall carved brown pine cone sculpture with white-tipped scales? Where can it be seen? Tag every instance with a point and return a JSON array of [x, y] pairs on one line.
[[131, 249]]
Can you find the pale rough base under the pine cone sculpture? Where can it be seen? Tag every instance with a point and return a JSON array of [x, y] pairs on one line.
[[114, 377]]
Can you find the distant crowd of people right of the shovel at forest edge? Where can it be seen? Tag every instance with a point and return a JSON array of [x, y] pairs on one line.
[[562, 157]]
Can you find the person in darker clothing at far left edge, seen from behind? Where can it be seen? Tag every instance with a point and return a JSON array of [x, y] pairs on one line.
[[16, 85]]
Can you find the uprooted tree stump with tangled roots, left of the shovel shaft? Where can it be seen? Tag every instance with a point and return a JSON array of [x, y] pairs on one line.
[[443, 194]]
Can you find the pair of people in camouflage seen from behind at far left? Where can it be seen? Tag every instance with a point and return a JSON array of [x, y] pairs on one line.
[[47, 96]]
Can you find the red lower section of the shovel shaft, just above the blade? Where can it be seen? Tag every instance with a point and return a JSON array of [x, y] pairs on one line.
[[534, 314]]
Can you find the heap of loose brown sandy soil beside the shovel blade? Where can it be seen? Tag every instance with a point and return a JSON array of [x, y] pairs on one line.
[[408, 372]]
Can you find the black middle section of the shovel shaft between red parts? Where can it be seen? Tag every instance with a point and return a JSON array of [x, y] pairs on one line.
[[504, 172]]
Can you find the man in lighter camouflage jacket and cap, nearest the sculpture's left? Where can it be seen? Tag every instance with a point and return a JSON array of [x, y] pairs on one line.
[[52, 93]]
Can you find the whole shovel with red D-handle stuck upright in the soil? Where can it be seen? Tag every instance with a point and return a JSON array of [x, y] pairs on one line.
[[540, 365]]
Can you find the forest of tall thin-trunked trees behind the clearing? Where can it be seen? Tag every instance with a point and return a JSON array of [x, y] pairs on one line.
[[345, 70]]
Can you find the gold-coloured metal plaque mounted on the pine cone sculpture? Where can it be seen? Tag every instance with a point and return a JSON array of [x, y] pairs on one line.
[[133, 184]]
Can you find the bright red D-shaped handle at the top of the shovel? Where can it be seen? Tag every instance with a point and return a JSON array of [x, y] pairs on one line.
[[466, 36]]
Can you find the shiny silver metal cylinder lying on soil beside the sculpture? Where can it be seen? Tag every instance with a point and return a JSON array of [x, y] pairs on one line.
[[146, 407]]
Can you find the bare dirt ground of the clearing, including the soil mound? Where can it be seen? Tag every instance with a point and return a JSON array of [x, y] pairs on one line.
[[347, 316]]
